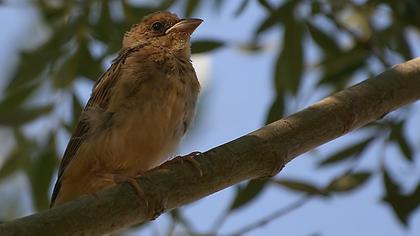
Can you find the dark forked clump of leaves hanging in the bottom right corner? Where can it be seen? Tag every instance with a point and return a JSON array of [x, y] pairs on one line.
[[402, 205]]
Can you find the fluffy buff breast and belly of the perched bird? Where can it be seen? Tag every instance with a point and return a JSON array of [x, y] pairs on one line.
[[148, 123]]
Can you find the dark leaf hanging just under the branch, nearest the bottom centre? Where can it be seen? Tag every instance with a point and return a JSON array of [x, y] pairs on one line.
[[248, 193]]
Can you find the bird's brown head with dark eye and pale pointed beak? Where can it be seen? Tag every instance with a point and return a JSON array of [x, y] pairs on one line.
[[162, 29]]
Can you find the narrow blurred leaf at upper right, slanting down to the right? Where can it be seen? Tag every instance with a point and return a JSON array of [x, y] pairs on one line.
[[323, 40]]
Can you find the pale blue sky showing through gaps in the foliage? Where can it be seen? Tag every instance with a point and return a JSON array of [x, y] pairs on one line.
[[235, 99]]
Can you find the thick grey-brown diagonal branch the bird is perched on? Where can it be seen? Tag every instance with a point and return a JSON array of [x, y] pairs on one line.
[[259, 154]]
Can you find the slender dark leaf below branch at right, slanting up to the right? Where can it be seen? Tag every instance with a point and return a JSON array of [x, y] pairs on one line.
[[346, 153]]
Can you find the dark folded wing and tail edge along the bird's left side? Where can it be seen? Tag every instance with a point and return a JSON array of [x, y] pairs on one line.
[[99, 98]]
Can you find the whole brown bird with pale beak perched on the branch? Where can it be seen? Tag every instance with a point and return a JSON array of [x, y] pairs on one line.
[[138, 111]]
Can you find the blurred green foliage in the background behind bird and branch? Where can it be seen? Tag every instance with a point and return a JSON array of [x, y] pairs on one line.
[[351, 36]]
